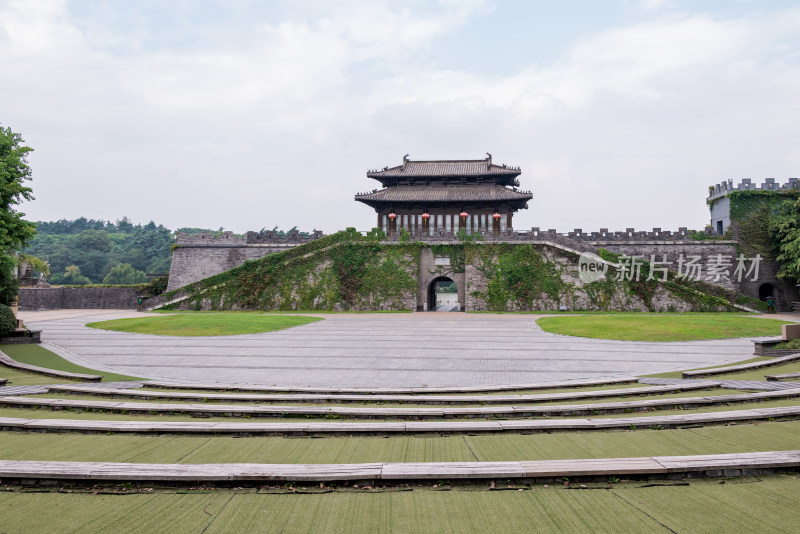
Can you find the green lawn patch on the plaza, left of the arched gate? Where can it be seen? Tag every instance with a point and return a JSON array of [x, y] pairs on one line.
[[212, 324]]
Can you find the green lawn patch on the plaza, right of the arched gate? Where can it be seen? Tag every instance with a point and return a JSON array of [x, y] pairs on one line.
[[660, 327]]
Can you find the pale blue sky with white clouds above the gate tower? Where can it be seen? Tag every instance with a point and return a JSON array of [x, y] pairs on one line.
[[244, 115]]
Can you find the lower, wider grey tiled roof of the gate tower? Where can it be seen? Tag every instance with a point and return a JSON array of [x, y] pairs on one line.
[[451, 193]]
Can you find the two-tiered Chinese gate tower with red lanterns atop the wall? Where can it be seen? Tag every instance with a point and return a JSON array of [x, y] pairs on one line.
[[441, 197]]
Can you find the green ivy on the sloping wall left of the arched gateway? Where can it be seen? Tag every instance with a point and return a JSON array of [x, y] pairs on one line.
[[343, 271]]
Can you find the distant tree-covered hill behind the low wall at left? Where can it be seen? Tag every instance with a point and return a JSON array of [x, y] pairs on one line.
[[87, 251]]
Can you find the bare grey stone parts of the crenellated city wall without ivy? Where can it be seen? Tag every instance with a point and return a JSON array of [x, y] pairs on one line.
[[202, 255]]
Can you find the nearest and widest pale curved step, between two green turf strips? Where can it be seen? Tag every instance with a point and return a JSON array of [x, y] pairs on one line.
[[729, 465]]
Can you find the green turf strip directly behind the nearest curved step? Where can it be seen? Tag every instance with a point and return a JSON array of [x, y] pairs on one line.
[[719, 439]]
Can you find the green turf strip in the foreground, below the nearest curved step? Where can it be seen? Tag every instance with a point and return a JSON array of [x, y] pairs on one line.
[[764, 505]]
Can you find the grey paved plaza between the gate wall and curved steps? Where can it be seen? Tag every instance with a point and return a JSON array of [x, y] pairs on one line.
[[374, 350]]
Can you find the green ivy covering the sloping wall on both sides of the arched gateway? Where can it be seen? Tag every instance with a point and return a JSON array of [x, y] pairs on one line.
[[349, 271]]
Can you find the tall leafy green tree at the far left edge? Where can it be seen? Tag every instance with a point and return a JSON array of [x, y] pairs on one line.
[[15, 231]]
